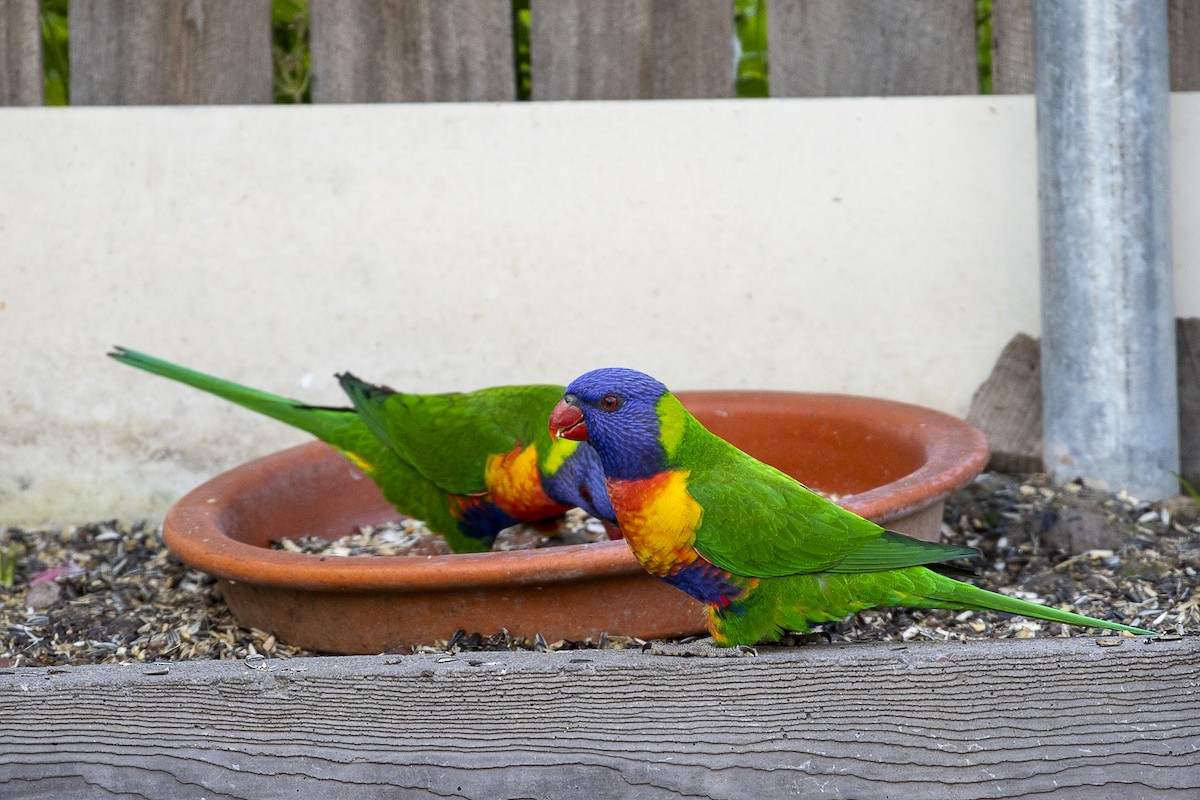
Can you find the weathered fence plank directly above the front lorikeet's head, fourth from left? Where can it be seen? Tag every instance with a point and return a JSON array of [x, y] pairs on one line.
[[632, 50]]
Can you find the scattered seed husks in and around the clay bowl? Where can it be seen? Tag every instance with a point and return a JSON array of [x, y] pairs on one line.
[[110, 592]]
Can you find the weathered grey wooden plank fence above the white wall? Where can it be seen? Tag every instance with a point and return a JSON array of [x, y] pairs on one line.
[[164, 52]]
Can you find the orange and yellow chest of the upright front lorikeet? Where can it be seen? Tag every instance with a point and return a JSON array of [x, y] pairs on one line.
[[659, 520]]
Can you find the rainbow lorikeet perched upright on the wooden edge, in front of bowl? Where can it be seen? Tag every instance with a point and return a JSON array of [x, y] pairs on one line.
[[763, 552]]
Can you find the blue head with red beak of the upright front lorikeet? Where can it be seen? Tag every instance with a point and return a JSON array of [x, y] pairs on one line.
[[617, 412]]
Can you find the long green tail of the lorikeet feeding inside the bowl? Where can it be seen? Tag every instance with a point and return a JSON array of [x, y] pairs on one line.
[[320, 422]]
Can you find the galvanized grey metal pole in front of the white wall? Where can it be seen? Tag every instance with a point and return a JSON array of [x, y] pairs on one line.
[[1108, 317]]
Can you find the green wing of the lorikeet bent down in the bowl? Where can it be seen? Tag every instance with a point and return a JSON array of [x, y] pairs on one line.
[[449, 438]]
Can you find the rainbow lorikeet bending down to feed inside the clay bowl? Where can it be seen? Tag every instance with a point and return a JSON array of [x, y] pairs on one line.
[[469, 465]]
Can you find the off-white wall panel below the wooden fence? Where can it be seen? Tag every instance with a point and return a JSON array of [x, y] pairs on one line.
[[873, 246]]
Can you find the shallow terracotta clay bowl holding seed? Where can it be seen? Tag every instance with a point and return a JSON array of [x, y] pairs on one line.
[[890, 462]]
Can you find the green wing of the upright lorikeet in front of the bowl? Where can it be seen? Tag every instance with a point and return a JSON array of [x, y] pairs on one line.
[[761, 522]]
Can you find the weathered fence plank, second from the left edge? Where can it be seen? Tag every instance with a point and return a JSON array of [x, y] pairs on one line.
[[133, 53]]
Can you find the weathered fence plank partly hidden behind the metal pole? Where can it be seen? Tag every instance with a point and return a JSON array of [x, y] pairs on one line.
[[1012, 37]]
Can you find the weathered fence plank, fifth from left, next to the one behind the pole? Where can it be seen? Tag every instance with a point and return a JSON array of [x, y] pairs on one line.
[[839, 49]]
